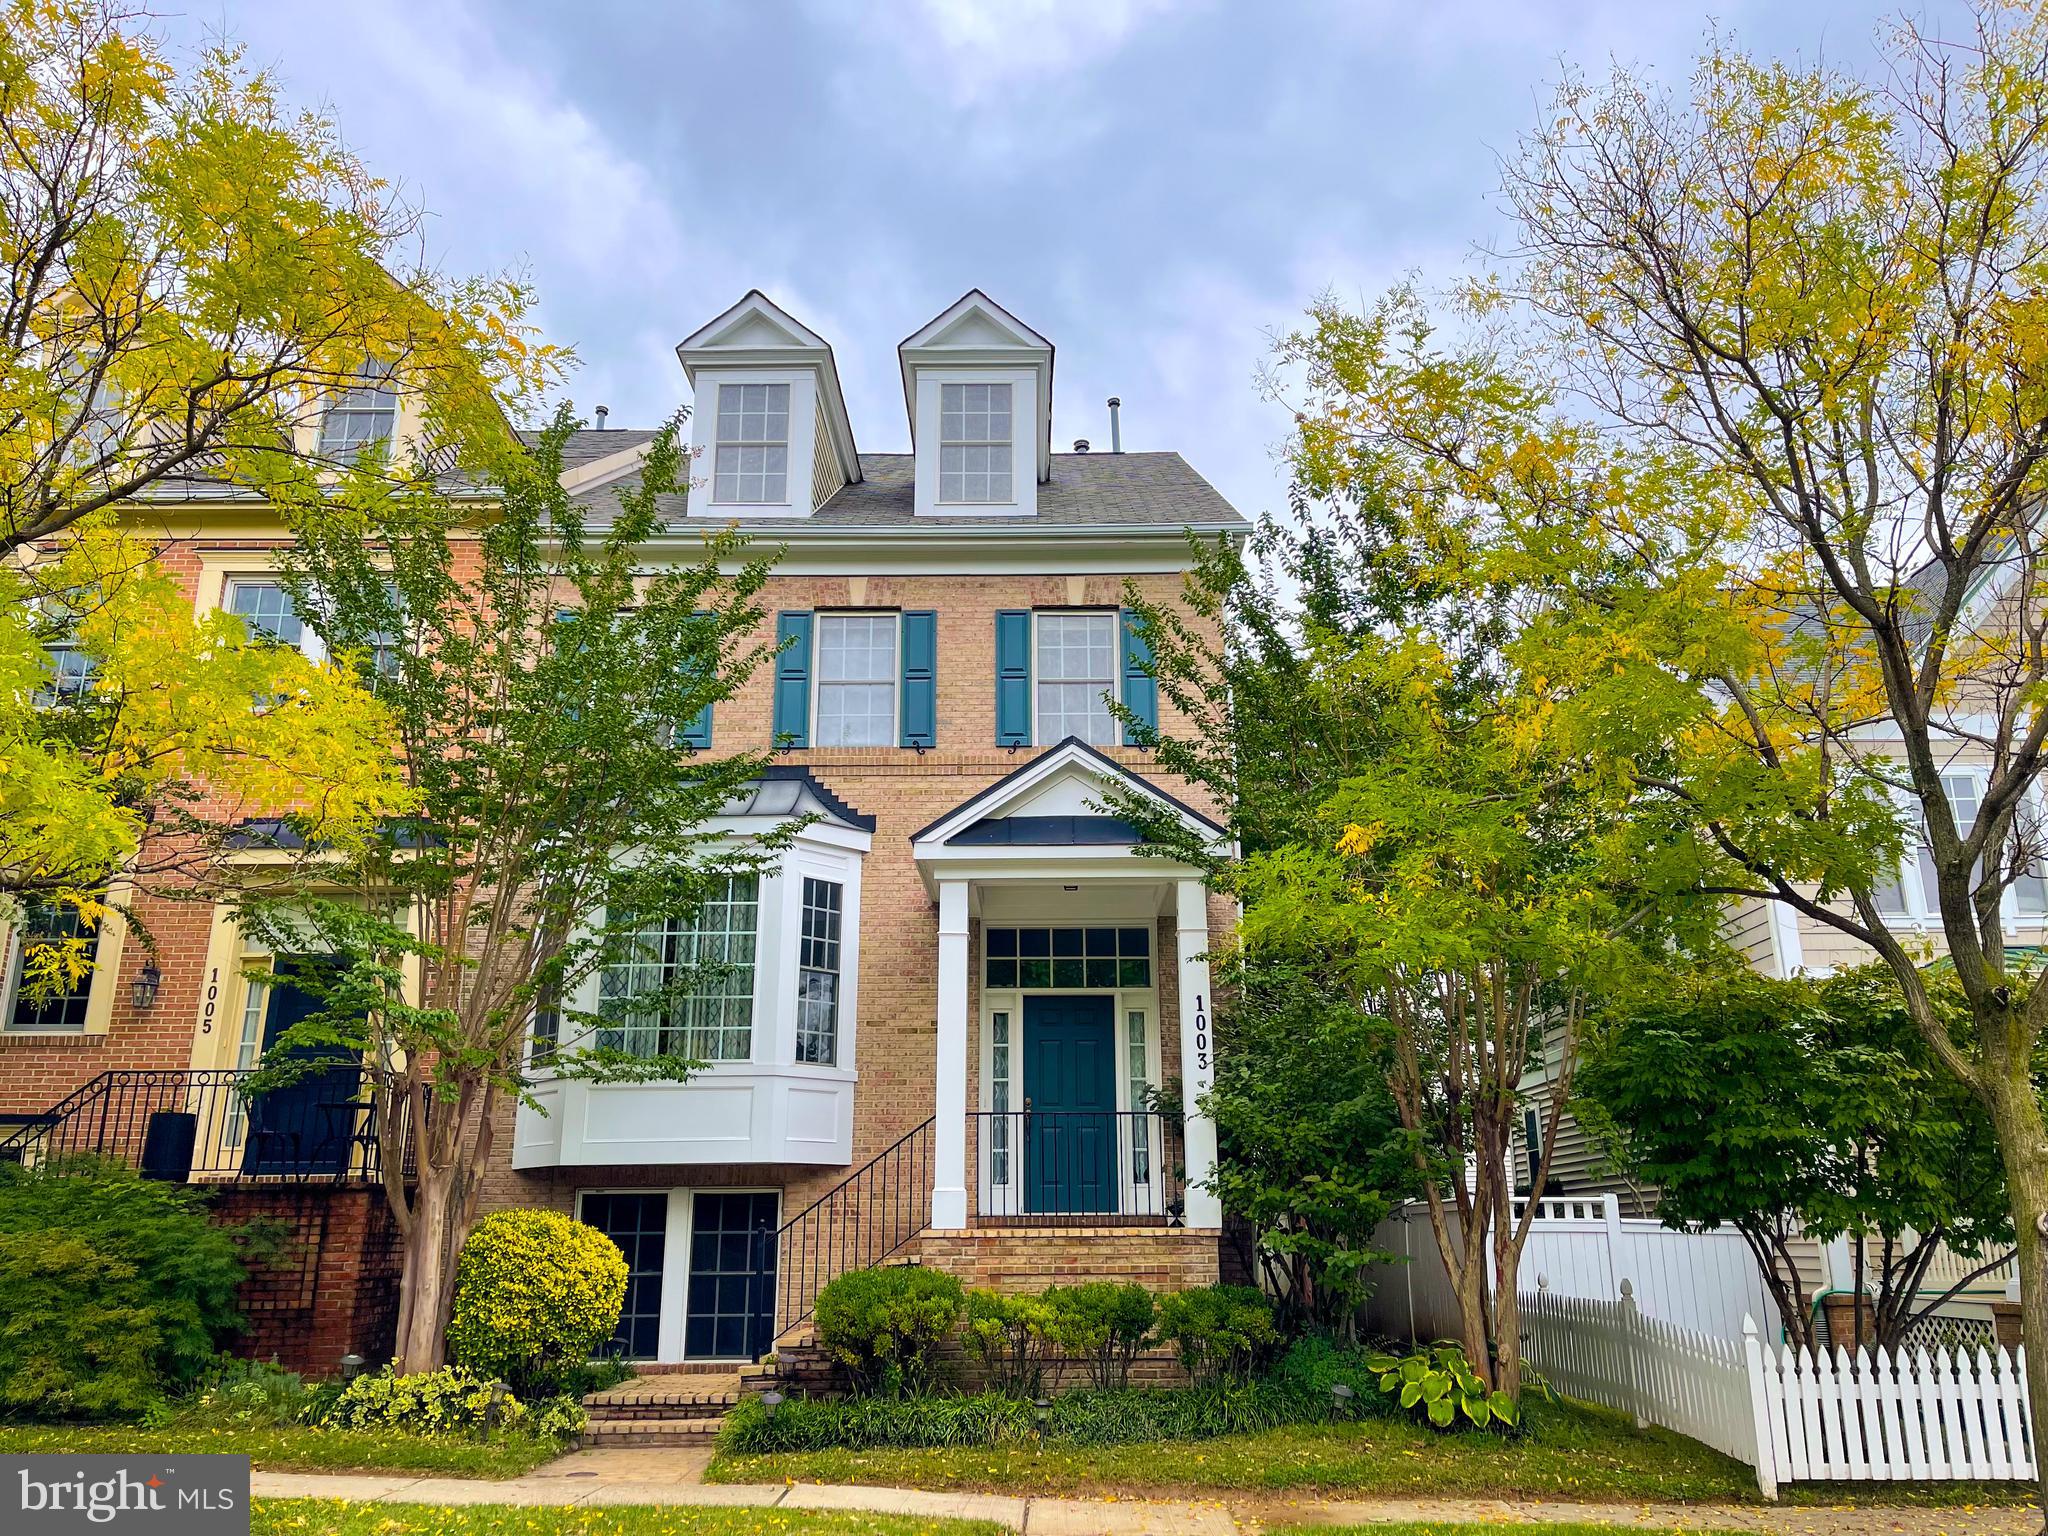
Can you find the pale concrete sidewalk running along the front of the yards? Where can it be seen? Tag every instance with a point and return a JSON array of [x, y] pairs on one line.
[[667, 1478]]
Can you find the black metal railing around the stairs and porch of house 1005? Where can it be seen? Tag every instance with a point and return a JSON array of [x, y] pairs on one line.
[[208, 1127]]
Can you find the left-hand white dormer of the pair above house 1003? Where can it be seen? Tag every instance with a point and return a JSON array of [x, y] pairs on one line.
[[769, 431]]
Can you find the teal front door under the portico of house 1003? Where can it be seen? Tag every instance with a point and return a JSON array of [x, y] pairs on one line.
[[1070, 1105]]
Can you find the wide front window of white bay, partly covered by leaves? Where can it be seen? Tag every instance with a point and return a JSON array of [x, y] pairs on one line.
[[685, 986]]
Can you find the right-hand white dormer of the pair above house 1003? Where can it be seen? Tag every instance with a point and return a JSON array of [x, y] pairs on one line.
[[980, 392]]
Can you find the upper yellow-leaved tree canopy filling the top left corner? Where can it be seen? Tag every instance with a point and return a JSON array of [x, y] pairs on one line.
[[194, 271]]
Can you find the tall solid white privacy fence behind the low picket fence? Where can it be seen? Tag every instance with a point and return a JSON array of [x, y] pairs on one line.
[[1582, 1246]]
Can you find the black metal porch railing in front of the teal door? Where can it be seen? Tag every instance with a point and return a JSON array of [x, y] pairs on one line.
[[1056, 1168]]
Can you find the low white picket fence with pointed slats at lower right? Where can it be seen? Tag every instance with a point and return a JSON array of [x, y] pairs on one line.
[[1797, 1418]]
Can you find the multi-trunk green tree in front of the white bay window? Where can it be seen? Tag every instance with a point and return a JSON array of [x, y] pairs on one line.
[[540, 681]]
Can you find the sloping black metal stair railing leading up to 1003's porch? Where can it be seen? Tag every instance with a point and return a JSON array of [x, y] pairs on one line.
[[867, 1218]]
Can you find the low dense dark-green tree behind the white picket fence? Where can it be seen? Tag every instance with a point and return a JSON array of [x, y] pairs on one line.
[[1805, 1109]]
